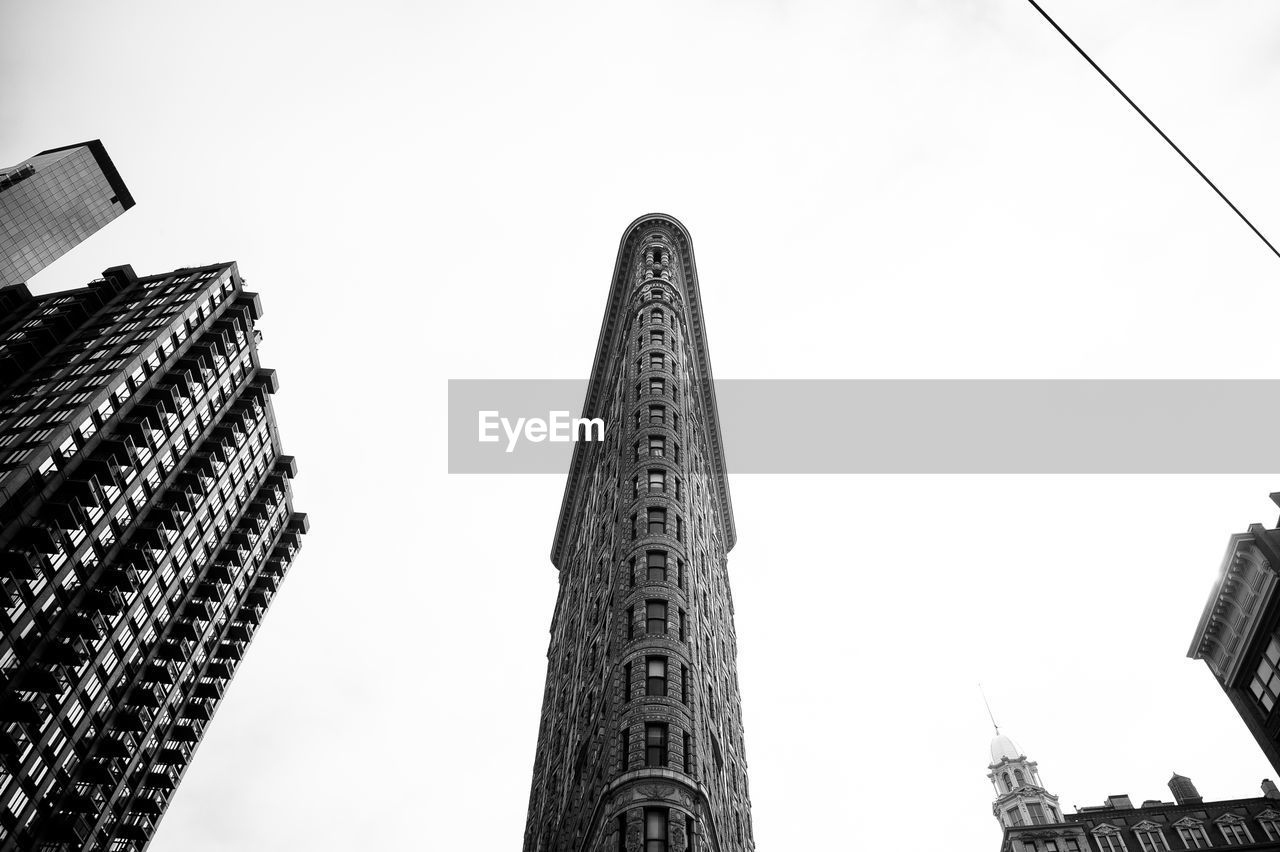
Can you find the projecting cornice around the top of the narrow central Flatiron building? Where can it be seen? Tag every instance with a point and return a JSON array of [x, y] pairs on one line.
[[611, 340]]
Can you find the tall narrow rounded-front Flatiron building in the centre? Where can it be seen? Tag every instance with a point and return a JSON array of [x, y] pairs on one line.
[[641, 740]]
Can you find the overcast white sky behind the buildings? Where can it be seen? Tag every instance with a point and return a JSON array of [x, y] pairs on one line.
[[884, 189]]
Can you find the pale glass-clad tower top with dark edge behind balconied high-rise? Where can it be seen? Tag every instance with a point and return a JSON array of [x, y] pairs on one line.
[[53, 203]]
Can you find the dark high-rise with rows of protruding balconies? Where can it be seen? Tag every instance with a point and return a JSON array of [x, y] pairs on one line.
[[145, 526]]
